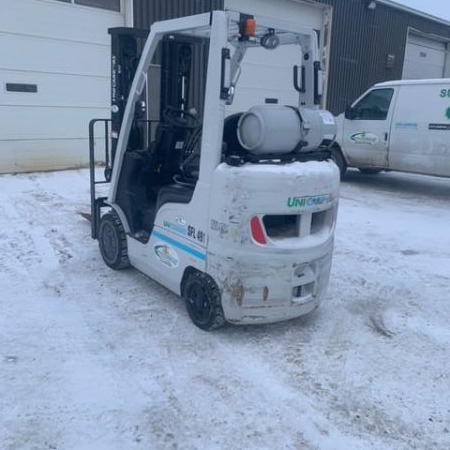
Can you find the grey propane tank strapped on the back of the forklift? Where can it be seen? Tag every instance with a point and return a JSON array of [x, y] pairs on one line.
[[273, 129]]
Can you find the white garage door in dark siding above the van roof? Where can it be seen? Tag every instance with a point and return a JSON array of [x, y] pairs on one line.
[[424, 58]]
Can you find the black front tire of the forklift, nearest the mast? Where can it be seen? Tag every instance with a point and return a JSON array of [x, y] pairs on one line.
[[112, 241]]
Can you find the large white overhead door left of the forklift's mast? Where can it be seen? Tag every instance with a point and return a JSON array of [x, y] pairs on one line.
[[54, 78]]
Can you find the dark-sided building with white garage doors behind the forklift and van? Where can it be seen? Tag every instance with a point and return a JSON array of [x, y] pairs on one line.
[[55, 61]]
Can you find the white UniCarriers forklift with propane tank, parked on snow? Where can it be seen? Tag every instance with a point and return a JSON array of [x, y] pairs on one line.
[[236, 214]]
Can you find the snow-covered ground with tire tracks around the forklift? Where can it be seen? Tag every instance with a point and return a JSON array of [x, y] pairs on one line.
[[96, 359]]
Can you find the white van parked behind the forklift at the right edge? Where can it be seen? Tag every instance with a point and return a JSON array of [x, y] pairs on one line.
[[397, 125]]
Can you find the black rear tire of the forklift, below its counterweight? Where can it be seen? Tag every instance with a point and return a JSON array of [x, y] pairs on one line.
[[203, 301]]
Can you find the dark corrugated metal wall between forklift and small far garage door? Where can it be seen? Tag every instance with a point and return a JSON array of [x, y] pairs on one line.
[[361, 41]]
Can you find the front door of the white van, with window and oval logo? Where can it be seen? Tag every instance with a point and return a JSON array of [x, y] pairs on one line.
[[367, 129]]
